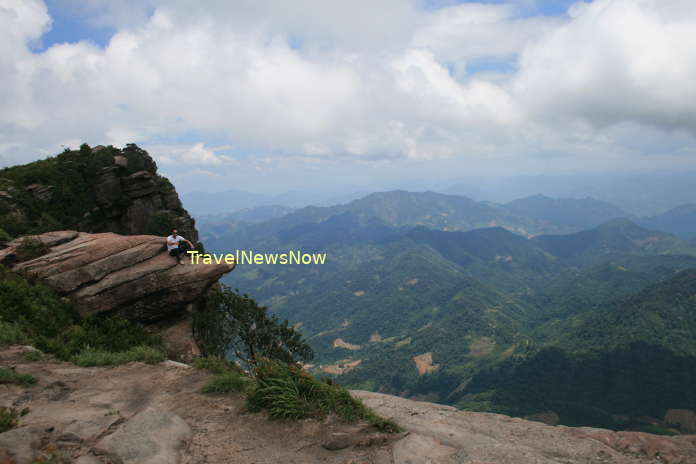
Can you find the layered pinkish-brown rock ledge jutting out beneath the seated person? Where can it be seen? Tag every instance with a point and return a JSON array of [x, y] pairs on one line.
[[129, 275]]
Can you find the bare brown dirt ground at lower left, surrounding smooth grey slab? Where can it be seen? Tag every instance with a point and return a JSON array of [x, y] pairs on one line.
[[96, 400]]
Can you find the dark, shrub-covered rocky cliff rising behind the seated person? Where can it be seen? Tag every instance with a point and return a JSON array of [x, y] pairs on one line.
[[100, 189]]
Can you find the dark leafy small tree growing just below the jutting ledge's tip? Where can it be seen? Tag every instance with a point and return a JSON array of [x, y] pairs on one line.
[[235, 324]]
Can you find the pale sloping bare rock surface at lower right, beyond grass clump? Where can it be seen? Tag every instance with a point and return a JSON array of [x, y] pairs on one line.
[[445, 435]]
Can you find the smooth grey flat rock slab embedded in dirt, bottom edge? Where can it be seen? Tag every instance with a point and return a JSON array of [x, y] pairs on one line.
[[150, 437]]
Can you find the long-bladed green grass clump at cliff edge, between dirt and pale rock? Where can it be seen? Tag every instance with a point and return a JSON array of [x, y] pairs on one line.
[[288, 392]]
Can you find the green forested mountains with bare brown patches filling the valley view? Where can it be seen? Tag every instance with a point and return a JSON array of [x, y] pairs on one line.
[[478, 304]]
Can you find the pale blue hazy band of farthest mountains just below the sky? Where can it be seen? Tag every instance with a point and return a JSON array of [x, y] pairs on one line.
[[640, 195]]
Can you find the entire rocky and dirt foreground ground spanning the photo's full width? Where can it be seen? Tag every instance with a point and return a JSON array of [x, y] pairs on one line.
[[138, 413]]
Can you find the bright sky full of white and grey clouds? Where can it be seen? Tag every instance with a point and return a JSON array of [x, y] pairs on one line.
[[271, 95]]
